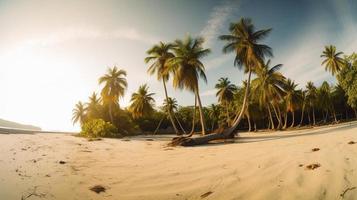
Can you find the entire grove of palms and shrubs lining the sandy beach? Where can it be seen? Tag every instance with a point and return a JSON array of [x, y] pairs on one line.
[[269, 101]]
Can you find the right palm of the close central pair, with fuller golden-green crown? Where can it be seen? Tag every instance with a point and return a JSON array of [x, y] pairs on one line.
[[188, 68]]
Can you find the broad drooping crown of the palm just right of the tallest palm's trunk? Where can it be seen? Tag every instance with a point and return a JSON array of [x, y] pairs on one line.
[[269, 84]]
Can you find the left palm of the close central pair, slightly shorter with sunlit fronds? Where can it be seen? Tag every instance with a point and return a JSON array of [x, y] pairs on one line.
[[160, 54]]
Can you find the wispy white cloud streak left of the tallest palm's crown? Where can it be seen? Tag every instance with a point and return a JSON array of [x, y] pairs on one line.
[[216, 21]]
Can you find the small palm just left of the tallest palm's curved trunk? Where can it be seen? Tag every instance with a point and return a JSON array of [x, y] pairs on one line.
[[225, 94]]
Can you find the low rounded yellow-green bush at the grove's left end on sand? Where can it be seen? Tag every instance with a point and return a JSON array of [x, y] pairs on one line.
[[99, 128]]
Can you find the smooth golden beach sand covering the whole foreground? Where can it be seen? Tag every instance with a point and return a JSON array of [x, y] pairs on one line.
[[256, 166]]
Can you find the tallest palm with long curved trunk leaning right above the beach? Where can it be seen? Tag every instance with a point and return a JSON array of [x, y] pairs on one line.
[[244, 40]]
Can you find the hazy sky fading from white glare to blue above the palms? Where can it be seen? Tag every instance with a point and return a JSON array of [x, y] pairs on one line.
[[52, 52]]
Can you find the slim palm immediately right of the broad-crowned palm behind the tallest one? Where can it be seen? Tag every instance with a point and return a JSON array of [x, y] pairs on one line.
[[291, 100]]
